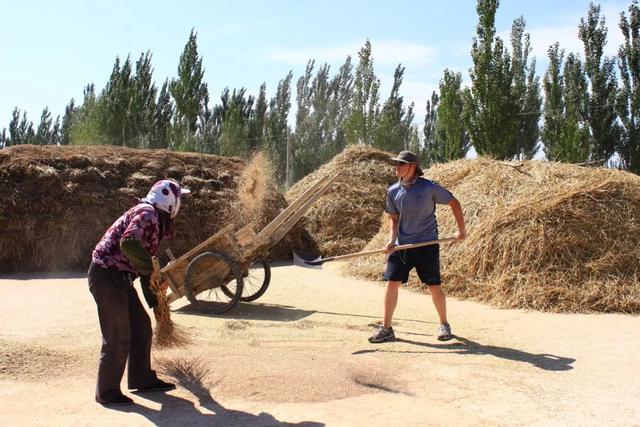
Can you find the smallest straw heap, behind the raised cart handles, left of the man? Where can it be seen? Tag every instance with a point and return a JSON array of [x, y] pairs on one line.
[[345, 218]]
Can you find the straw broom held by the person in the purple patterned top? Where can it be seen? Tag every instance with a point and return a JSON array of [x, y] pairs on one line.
[[167, 333]]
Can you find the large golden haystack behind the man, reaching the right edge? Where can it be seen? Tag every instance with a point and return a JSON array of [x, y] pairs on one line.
[[542, 235]]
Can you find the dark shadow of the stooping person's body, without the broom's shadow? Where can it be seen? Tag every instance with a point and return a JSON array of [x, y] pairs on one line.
[[179, 411]]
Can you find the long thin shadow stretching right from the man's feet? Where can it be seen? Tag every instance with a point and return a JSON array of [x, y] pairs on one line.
[[548, 362]]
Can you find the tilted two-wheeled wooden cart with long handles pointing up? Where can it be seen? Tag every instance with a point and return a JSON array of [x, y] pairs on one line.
[[213, 274]]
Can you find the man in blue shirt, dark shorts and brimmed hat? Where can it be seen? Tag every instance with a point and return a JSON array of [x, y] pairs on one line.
[[411, 205]]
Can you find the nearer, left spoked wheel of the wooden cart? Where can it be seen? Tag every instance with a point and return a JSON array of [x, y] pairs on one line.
[[217, 297]]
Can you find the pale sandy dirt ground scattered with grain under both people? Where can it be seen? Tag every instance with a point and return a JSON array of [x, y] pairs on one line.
[[299, 356]]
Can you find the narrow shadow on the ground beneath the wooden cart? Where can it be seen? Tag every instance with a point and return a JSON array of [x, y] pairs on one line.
[[255, 311]]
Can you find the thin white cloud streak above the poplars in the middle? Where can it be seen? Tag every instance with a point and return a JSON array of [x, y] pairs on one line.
[[383, 52]]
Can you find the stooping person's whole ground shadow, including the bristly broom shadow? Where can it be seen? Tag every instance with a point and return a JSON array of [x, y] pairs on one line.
[[191, 375]]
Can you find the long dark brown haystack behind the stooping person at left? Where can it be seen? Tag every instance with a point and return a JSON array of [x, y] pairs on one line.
[[58, 201]]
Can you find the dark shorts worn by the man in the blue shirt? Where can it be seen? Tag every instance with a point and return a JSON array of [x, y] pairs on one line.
[[426, 260]]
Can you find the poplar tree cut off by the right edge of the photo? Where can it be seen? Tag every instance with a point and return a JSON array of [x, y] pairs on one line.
[[628, 102]]
